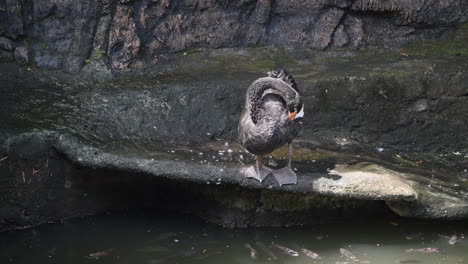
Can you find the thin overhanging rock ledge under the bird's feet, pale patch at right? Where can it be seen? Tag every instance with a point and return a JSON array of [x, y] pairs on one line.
[[405, 192]]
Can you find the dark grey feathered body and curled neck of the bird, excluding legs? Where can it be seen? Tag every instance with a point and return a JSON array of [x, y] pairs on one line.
[[264, 124]]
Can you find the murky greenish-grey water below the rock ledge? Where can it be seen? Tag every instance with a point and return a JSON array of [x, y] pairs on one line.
[[152, 239]]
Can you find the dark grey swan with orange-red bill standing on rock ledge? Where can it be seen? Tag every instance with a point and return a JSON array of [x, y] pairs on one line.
[[271, 118]]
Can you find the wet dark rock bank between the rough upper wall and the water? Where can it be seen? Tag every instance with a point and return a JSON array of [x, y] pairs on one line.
[[377, 129]]
